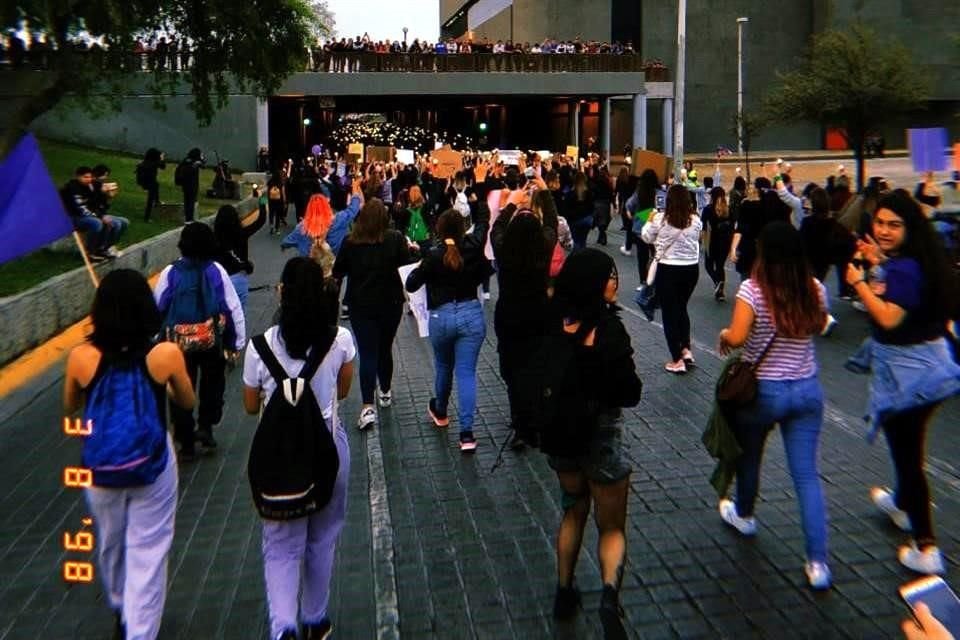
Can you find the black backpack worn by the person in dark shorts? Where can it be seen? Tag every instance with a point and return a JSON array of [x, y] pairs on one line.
[[556, 410]]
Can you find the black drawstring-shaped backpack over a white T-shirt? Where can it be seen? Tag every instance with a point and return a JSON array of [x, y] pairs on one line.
[[293, 462]]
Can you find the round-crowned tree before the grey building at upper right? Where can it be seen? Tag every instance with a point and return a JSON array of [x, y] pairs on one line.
[[853, 80]]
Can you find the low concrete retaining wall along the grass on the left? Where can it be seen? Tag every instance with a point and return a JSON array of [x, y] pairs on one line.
[[65, 299]]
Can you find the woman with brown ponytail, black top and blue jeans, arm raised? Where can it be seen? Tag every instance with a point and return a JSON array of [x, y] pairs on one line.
[[452, 271]]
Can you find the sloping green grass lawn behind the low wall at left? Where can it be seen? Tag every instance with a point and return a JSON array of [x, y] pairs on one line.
[[62, 159]]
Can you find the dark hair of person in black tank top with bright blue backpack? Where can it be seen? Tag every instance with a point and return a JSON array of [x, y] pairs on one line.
[[124, 315]]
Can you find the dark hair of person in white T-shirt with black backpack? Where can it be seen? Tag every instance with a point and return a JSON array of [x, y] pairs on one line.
[[308, 306]]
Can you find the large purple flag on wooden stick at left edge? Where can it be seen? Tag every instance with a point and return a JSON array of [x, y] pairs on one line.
[[31, 213]]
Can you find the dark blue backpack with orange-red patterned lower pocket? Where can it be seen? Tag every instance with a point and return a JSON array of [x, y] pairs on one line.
[[193, 319]]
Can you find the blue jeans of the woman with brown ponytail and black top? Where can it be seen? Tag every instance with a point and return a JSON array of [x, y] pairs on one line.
[[457, 330]]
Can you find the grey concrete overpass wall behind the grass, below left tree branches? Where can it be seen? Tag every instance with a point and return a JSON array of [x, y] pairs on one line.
[[139, 126]]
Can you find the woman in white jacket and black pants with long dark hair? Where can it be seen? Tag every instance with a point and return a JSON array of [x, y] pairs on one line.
[[675, 234]]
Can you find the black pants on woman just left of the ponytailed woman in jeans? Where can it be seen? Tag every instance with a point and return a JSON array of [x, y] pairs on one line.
[[375, 329]]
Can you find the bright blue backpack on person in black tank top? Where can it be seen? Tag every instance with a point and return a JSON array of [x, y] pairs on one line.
[[127, 446]]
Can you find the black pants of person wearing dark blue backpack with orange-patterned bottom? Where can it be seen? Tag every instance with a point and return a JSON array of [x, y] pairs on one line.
[[210, 367]]
